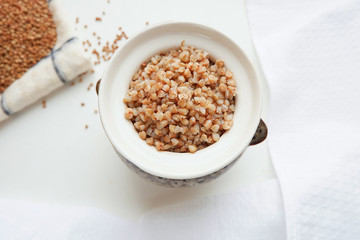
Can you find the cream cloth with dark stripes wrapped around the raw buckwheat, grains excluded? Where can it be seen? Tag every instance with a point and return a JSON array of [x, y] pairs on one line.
[[66, 61]]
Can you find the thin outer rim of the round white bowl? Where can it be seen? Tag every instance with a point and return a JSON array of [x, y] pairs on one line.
[[151, 171]]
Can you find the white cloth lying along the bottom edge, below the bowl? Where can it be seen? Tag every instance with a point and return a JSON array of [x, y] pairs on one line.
[[255, 213]]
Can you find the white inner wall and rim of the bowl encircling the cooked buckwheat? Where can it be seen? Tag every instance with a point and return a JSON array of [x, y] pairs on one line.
[[124, 137]]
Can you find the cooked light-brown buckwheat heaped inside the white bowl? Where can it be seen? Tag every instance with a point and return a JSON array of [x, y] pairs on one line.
[[181, 100]]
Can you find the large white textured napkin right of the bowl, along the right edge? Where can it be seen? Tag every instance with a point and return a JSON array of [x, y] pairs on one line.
[[310, 53]]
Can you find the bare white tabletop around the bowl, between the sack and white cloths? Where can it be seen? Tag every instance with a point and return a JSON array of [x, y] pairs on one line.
[[48, 156]]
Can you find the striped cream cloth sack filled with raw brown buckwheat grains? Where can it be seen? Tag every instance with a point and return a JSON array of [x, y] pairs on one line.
[[39, 52]]
